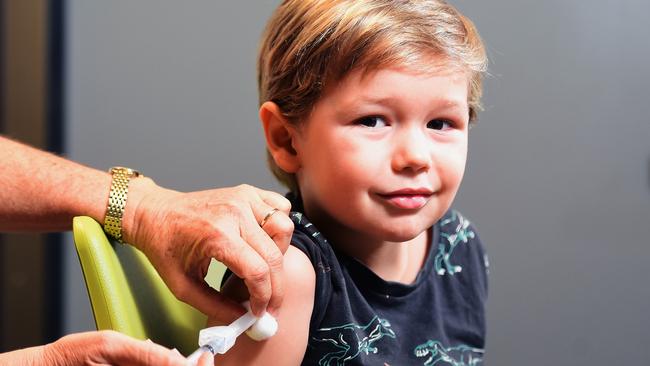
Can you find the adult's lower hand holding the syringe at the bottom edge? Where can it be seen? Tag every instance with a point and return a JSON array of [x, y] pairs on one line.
[[99, 348]]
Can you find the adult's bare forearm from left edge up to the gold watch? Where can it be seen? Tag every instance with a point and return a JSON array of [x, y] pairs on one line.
[[40, 191]]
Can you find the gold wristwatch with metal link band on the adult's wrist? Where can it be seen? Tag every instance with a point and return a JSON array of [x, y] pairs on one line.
[[117, 200]]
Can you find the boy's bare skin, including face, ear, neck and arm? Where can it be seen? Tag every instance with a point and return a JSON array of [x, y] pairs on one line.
[[373, 135]]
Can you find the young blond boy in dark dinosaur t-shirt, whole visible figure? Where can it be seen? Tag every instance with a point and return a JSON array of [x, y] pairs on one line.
[[366, 107]]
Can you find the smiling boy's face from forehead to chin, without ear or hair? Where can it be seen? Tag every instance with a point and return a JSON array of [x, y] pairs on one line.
[[383, 154]]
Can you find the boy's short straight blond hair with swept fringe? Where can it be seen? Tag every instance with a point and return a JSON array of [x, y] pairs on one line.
[[309, 45]]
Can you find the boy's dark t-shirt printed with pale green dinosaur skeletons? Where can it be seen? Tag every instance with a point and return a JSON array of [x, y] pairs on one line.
[[360, 319]]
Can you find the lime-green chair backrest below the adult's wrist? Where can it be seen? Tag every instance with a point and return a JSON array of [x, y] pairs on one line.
[[127, 294]]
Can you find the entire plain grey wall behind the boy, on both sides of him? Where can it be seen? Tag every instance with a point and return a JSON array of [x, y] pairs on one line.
[[558, 180]]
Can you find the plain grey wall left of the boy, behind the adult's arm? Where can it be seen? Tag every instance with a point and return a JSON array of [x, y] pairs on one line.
[[167, 87]]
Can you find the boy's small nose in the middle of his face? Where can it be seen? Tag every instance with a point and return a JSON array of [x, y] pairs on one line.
[[412, 151]]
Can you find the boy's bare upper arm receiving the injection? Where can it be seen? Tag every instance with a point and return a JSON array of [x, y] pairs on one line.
[[288, 345]]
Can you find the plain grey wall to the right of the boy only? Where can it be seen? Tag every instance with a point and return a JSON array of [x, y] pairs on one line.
[[559, 180]]
